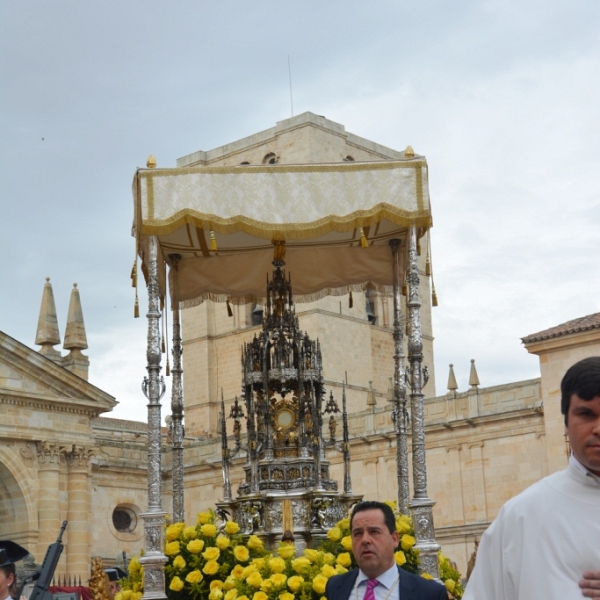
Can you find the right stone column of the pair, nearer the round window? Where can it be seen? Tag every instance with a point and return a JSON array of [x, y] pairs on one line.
[[78, 512]]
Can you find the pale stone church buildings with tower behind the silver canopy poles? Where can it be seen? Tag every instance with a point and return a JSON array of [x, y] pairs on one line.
[[60, 459]]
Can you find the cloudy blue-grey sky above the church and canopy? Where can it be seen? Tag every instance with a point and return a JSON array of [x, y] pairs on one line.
[[502, 97]]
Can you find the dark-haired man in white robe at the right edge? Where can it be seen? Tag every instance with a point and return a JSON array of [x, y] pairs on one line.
[[545, 542]]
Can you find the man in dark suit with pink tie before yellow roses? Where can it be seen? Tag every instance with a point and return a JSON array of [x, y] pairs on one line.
[[374, 541]]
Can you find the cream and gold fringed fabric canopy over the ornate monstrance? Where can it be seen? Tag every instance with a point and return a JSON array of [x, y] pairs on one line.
[[320, 212]]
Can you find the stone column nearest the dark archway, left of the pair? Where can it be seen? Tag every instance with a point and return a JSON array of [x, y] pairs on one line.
[[49, 456]]
